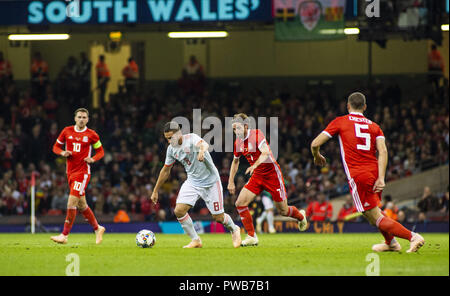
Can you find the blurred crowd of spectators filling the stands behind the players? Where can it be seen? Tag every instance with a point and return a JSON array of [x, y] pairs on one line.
[[130, 128]]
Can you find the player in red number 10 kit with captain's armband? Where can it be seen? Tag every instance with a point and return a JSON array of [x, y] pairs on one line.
[[79, 141]]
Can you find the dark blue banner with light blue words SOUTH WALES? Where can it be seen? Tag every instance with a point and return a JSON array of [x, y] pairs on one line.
[[132, 11]]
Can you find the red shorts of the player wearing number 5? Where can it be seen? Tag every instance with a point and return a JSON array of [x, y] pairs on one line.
[[361, 188]]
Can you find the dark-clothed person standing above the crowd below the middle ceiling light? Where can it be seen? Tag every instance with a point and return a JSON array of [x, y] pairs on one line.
[[192, 79]]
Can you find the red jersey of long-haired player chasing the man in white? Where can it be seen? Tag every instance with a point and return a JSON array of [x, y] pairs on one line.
[[249, 147]]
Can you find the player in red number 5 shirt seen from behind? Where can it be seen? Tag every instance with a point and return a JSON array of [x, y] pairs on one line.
[[360, 139]]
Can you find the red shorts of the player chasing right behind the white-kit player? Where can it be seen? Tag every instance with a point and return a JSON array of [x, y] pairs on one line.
[[272, 183]]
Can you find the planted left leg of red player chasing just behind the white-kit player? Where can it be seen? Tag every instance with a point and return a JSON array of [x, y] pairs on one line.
[[244, 199]]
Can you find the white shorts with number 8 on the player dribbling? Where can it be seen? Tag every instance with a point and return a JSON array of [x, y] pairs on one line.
[[213, 196]]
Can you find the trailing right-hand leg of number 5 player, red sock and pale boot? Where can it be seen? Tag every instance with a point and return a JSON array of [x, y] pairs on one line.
[[387, 225]]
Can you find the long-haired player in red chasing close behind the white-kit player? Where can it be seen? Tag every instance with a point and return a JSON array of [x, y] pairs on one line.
[[265, 175]]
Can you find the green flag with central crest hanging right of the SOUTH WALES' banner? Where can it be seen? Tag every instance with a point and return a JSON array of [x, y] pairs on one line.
[[301, 20]]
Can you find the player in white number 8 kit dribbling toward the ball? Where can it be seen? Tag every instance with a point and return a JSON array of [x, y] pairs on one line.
[[203, 181]]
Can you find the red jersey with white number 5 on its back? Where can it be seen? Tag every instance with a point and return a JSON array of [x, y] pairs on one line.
[[357, 139]]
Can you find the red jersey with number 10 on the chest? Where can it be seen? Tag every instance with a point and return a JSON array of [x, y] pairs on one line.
[[80, 144]]
